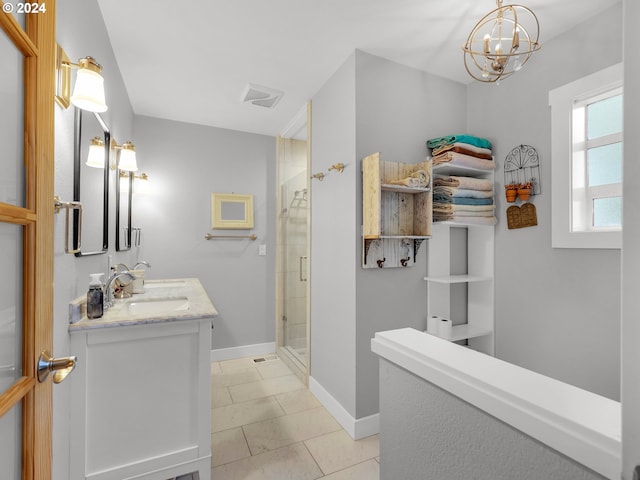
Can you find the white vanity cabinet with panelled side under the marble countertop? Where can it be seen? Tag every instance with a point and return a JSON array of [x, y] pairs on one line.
[[141, 394]]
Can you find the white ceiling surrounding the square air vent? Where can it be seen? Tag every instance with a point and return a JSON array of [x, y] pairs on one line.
[[190, 60]]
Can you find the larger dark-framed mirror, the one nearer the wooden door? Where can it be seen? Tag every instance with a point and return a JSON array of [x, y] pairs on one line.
[[91, 183]]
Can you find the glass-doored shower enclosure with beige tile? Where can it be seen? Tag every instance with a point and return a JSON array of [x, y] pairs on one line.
[[292, 258]]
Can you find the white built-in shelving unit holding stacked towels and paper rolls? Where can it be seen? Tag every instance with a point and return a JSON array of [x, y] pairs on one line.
[[460, 273]]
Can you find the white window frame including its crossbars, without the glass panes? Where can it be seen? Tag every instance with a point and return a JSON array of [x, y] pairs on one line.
[[565, 167]]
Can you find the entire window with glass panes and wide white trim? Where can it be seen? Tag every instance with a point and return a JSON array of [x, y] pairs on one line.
[[586, 149]]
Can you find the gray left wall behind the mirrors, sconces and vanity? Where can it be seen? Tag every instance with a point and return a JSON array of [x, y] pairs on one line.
[[81, 32]]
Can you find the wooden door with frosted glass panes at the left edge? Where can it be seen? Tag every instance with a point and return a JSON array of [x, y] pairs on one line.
[[27, 51]]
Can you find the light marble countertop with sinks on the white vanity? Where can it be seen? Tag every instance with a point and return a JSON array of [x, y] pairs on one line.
[[198, 306]]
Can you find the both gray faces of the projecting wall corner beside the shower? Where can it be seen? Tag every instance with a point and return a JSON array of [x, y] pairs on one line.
[[369, 105]]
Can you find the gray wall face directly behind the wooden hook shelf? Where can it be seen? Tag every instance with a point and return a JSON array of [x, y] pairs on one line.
[[397, 109]]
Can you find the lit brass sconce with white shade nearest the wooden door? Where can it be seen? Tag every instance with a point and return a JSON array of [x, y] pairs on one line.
[[88, 92]]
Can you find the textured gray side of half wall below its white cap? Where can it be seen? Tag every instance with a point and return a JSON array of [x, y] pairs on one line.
[[428, 433]]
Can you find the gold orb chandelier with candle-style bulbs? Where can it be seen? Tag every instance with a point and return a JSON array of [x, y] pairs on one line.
[[501, 43]]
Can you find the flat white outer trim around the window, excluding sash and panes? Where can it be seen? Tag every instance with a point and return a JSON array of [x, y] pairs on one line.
[[561, 101]]
